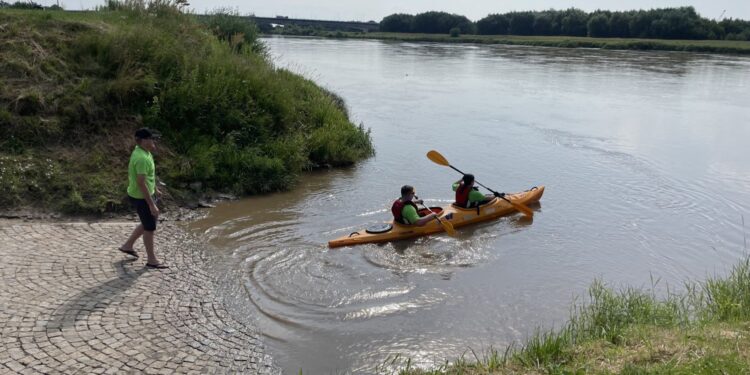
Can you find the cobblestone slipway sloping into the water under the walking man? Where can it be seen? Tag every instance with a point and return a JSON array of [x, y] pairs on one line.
[[71, 303]]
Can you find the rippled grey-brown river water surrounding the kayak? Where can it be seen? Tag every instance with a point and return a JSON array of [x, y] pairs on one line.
[[645, 157]]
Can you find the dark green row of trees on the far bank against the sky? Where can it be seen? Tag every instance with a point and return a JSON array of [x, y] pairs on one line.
[[664, 23]]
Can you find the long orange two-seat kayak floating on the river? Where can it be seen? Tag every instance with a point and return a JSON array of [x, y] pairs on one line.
[[459, 217]]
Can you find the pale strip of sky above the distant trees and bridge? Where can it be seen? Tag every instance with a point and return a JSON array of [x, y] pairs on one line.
[[357, 10]]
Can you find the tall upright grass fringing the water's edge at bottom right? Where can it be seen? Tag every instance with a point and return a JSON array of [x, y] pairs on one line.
[[610, 315]]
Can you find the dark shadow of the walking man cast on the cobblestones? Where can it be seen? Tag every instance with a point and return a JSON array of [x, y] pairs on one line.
[[96, 298]]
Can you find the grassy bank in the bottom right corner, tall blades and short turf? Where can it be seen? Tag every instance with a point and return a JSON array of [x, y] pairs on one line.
[[704, 330]]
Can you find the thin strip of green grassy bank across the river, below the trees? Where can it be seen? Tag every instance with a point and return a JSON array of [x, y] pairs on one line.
[[708, 46]]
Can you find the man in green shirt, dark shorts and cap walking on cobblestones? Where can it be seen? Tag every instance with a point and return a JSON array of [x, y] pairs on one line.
[[141, 191]]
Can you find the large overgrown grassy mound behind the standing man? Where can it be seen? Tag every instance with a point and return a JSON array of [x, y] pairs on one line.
[[75, 85]]
